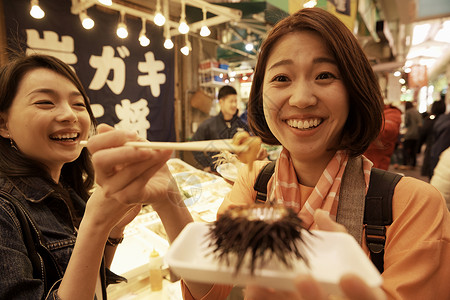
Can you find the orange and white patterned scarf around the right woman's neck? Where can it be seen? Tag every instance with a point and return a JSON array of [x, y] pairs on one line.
[[325, 194]]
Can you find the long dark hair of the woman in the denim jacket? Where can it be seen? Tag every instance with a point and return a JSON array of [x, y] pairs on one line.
[[79, 174]]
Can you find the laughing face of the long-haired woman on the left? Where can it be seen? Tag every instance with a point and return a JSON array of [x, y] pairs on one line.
[[47, 117]]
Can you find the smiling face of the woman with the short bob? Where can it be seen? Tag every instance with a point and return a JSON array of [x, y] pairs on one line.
[[303, 86]]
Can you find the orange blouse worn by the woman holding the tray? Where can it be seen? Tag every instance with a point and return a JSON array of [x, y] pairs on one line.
[[417, 252]]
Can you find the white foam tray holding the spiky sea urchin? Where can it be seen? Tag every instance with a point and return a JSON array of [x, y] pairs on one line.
[[330, 255]]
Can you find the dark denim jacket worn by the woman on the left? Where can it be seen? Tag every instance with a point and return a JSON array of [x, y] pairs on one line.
[[55, 220]]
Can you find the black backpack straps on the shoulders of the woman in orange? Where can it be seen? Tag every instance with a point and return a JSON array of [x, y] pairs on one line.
[[377, 210]]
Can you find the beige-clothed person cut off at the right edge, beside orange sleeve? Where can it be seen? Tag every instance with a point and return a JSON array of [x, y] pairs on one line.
[[441, 176]]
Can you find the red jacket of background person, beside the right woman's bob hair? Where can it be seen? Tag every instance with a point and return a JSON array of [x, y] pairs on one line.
[[381, 150]]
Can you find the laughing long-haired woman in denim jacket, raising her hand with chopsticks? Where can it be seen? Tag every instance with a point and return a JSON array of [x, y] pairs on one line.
[[44, 114]]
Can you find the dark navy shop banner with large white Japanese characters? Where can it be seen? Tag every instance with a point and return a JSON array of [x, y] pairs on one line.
[[130, 86]]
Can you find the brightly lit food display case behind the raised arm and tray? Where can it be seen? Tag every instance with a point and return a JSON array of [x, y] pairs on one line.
[[202, 193]]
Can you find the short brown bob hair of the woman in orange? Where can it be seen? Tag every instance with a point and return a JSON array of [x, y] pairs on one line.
[[365, 116]]
